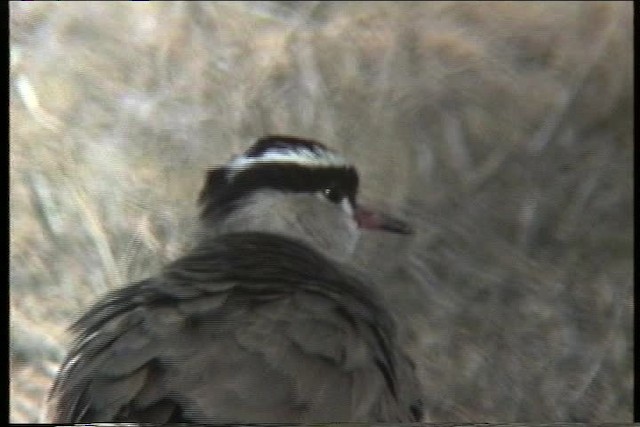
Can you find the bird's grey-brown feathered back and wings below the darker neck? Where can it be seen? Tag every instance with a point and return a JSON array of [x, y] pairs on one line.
[[155, 352]]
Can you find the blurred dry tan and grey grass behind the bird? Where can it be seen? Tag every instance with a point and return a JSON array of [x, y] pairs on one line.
[[501, 131]]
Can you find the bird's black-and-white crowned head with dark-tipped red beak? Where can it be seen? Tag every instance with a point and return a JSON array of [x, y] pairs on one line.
[[295, 187]]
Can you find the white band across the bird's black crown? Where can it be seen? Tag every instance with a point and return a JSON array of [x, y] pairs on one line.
[[300, 156]]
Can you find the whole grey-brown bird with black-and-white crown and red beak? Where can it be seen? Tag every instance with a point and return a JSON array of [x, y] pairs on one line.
[[262, 320]]
